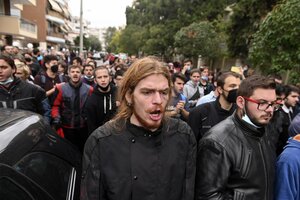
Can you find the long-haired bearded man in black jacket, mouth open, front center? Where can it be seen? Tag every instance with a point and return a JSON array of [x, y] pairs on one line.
[[141, 153]]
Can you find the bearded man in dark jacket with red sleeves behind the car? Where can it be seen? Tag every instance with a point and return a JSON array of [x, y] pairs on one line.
[[68, 105]]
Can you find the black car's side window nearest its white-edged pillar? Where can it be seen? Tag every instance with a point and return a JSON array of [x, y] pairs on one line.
[[50, 172]]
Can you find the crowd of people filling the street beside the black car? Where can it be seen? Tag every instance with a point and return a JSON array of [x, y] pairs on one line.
[[153, 130]]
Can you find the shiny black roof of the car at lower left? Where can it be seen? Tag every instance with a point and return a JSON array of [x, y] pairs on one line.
[[23, 131]]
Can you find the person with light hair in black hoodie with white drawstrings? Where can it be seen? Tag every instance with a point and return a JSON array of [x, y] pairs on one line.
[[101, 106]]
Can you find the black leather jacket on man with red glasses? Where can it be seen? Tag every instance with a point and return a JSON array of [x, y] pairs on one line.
[[235, 161]]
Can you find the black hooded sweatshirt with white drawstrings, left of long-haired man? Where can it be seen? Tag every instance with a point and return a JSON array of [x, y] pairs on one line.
[[100, 107]]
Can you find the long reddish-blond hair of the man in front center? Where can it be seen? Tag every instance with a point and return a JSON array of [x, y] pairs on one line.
[[139, 70]]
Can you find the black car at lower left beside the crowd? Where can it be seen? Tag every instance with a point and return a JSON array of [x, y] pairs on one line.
[[35, 163]]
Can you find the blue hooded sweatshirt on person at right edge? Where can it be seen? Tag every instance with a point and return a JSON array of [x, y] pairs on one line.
[[287, 185]]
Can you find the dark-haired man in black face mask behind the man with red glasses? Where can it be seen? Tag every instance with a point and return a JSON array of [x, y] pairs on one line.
[[206, 115]]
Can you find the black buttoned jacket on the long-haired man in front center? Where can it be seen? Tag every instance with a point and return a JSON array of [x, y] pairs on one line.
[[130, 162]]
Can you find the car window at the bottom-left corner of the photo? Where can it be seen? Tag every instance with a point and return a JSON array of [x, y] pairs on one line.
[[11, 191]]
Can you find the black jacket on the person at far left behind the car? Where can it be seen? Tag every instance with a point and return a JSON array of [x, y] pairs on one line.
[[23, 95]]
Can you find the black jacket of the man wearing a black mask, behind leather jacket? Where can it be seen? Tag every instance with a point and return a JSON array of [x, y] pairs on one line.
[[205, 116]]
